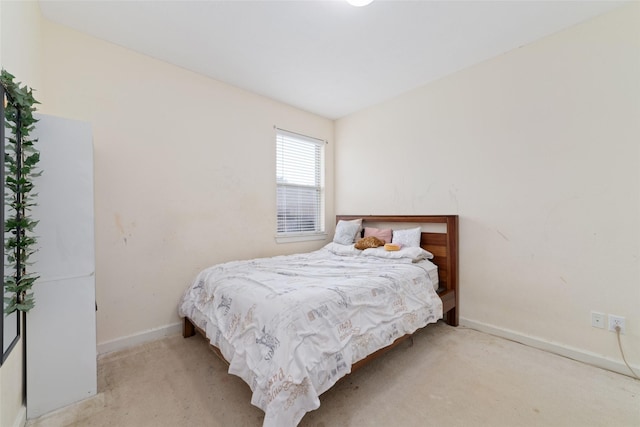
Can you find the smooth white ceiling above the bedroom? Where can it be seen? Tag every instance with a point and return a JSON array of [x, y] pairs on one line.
[[326, 57]]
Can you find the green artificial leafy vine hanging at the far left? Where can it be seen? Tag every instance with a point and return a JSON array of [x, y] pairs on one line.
[[20, 161]]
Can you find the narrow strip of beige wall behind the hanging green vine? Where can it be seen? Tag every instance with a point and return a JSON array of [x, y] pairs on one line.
[[20, 52]]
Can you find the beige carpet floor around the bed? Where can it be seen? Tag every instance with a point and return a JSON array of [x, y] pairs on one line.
[[449, 376]]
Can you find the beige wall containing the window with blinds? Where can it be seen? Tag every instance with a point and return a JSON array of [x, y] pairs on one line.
[[184, 173]]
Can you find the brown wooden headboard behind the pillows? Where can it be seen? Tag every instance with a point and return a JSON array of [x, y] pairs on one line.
[[443, 245]]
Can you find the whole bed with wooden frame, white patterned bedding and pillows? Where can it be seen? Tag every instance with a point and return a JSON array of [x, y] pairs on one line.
[[292, 326]]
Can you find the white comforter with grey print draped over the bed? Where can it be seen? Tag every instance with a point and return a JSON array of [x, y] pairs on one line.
[[291, 326]]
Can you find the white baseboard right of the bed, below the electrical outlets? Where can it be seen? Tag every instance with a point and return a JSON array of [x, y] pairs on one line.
[[556, 348]]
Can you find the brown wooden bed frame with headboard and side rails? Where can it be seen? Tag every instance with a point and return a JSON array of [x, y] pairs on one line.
[[444, 247]]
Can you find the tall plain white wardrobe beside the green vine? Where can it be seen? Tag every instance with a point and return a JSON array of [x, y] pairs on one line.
[[61, 329]]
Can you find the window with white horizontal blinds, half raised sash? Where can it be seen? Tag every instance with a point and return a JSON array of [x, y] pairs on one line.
[[300, 183]]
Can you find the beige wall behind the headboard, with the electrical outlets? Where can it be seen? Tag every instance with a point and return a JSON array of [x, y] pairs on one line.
[[538, 152]]
